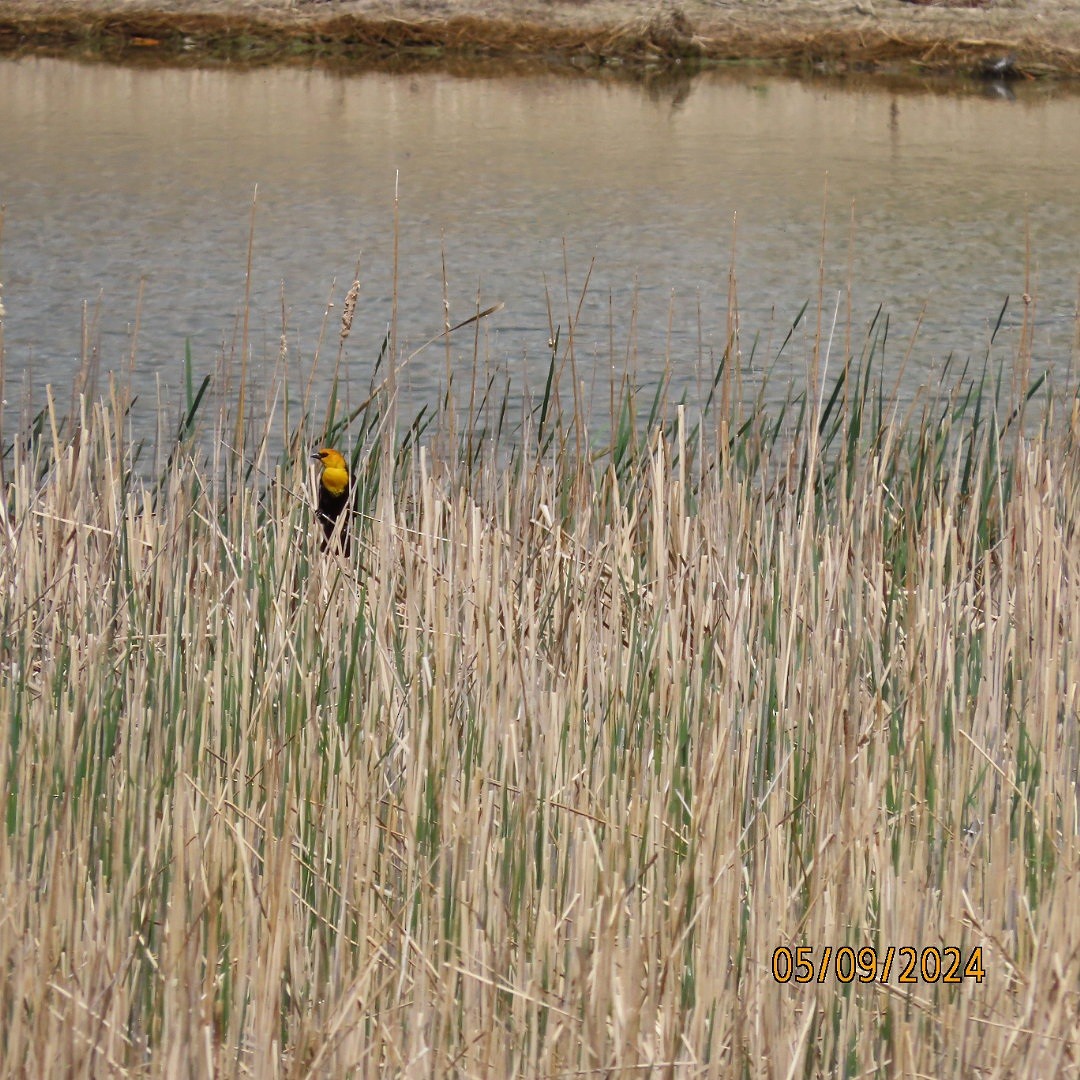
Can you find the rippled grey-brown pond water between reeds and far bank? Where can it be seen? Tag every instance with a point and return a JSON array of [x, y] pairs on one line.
[[115, 178]]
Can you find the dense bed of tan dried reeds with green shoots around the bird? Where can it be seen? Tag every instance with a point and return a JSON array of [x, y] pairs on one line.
[[547, 776]]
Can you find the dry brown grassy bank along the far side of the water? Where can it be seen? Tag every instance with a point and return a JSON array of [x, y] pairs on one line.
[[1039, 40]]
